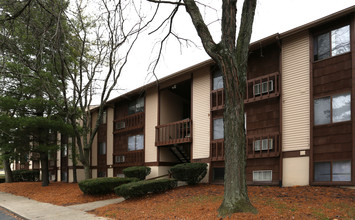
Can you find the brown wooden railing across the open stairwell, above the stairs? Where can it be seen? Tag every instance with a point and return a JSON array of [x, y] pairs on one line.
[[173, 133]]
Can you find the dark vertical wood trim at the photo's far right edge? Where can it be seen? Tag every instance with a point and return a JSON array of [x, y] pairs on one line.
[[352, 48]]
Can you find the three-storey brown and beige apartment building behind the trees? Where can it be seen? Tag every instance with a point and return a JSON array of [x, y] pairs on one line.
[[299, 104]]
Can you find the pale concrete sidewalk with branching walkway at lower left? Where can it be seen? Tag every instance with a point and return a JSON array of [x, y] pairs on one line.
[[31, 209]]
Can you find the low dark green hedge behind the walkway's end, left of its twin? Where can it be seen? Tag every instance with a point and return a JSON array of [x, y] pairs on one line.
[[103, 185]]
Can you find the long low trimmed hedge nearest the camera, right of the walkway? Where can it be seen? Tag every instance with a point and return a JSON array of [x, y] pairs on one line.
[[144, 187]]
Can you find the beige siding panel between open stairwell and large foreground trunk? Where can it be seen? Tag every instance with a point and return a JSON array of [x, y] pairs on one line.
[[201, 113]]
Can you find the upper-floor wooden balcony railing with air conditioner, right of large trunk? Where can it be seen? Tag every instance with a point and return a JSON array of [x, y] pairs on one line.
[[263, 87]]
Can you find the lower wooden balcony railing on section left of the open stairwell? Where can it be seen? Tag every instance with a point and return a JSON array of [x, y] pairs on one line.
[[130, 158]]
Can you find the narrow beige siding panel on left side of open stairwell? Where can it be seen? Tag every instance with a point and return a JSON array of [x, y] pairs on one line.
[[151, 120]]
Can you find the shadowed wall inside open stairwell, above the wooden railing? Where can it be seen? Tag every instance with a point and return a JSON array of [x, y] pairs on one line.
[[170, 107]]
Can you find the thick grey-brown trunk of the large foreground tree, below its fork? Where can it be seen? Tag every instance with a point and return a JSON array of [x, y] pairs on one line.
[[235, 188]]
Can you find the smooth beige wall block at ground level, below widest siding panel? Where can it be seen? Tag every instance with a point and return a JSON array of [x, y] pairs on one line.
[[295, 171]]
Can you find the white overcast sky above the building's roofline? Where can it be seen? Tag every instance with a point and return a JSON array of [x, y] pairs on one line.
[[272, 16]]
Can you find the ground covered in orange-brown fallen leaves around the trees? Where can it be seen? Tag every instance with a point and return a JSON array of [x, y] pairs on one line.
[[202, 202]]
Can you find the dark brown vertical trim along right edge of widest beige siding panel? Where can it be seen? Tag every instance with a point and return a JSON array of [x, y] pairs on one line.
[[311, 103]]
